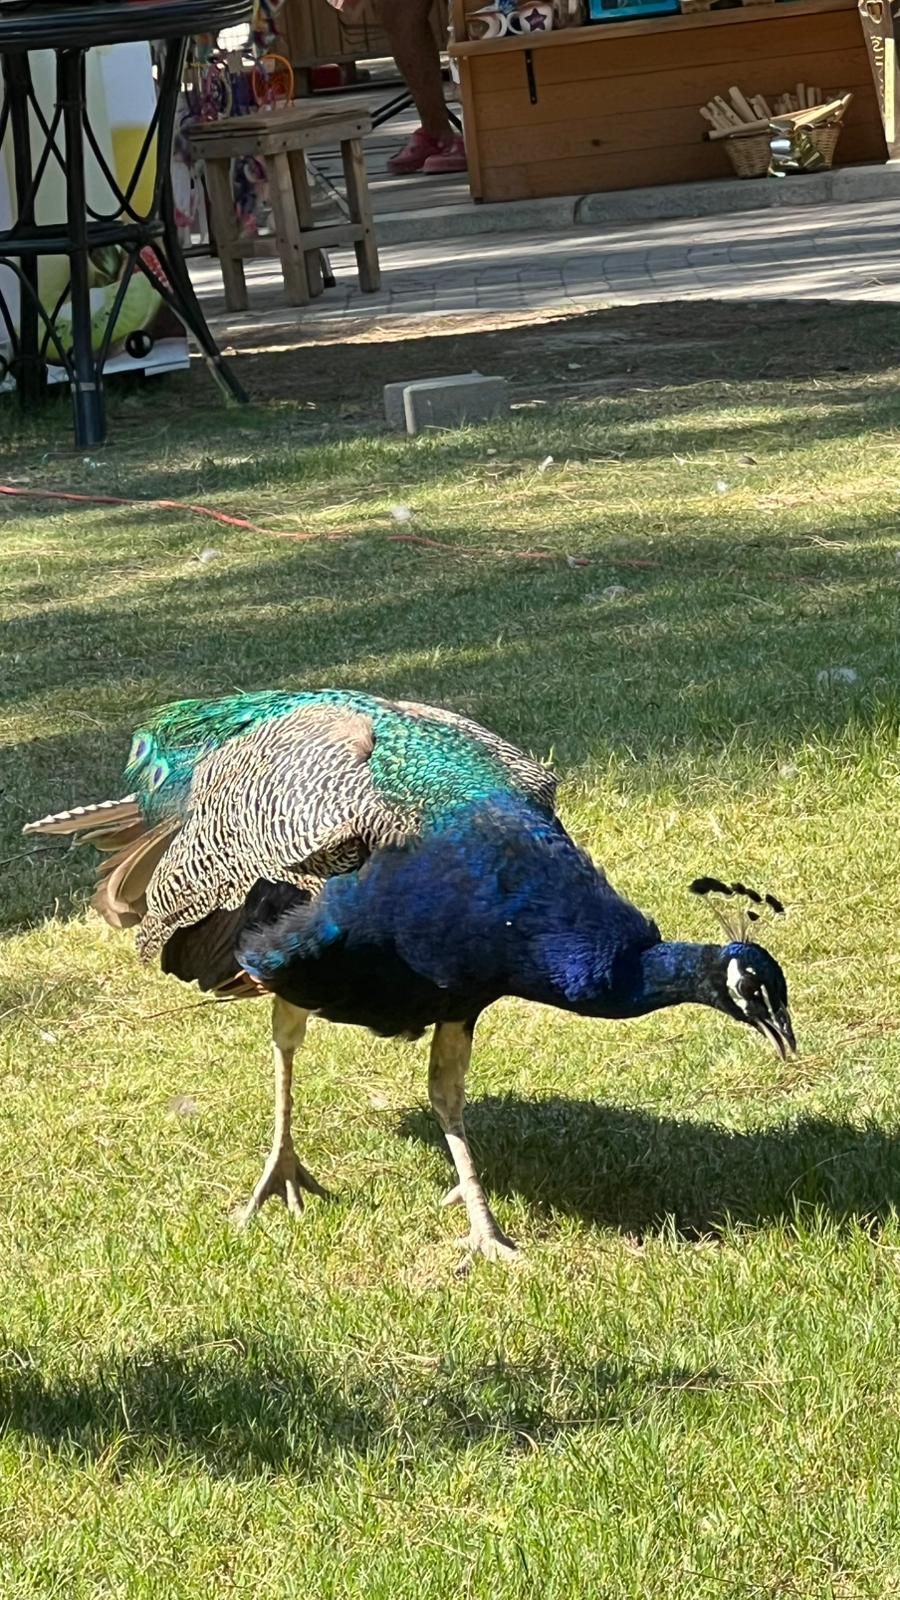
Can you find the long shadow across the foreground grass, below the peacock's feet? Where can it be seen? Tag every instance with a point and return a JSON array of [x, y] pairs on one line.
[[239, 1410]]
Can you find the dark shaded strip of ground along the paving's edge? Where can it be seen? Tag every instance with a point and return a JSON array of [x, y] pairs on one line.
[[617, 350]]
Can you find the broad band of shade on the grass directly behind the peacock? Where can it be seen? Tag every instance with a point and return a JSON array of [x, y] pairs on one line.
[[704, 647]]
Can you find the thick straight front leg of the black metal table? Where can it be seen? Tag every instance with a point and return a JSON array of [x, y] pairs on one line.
[[87, 380]]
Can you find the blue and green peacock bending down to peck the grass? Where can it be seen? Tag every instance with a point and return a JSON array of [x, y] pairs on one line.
[[395, 866]]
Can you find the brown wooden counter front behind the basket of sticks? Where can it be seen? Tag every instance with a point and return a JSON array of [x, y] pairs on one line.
[[616, 106]]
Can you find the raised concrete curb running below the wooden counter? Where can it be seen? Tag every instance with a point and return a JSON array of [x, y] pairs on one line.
[[845, 186]]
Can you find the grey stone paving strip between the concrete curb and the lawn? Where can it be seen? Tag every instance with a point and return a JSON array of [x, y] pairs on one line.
[[838, 252]]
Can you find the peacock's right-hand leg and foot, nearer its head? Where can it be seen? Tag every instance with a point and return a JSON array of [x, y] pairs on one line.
[[451, 1052]]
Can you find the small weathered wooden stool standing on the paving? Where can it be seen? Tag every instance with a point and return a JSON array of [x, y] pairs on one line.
[[283, 140]]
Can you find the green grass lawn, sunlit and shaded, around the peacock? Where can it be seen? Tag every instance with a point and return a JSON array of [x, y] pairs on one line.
[[689, 1388]]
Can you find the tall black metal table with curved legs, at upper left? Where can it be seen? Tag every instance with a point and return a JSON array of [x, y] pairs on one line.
[[71, 31]]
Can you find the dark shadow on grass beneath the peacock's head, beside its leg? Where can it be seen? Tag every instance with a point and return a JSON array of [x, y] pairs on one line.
[[632, 1170]]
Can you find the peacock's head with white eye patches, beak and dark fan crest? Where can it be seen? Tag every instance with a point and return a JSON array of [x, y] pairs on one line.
[[745, 982]]
